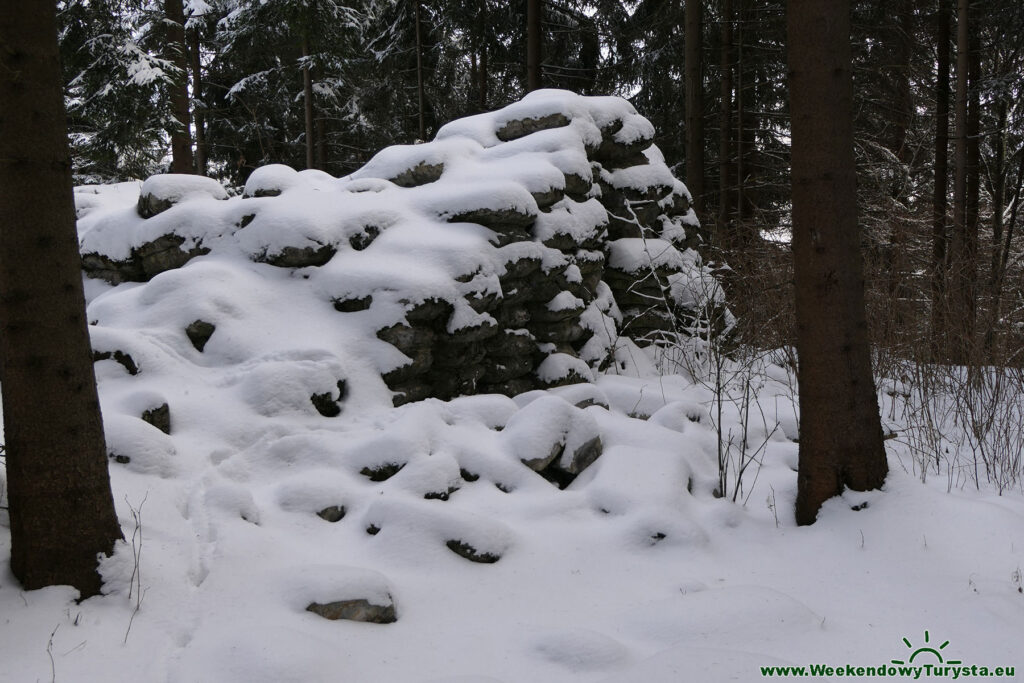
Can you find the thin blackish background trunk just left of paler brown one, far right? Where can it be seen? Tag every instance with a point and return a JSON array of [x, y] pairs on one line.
[[941, 236]]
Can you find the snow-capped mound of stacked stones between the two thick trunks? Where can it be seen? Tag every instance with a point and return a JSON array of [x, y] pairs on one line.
[[522, 249]]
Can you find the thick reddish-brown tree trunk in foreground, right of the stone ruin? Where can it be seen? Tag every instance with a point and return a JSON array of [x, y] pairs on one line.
[[840, 430]]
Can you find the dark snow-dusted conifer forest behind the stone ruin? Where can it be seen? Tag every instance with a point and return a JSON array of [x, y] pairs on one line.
[[222, 88]]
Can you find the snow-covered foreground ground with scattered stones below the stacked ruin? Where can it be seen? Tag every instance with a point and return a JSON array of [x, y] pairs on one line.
[[232, 552]]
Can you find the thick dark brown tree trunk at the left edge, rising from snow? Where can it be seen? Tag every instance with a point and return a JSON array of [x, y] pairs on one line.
[[62, 510]]
